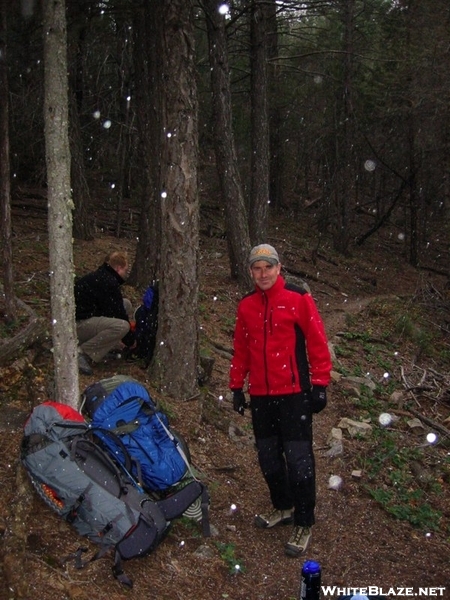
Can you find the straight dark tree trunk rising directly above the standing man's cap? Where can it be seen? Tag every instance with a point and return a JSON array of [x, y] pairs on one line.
[[259, 201]]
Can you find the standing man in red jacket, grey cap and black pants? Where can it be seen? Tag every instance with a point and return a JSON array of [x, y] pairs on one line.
[[281, 351]]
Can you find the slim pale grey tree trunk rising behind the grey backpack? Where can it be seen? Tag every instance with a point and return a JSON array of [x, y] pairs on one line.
[[60, 203]]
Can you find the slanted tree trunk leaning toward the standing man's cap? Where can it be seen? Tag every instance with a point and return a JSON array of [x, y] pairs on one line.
[[238, 237]]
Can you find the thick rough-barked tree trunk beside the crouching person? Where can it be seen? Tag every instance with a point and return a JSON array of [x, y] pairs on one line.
[[176, 360]]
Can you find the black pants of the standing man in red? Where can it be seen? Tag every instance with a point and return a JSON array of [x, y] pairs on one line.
[[283, 432]]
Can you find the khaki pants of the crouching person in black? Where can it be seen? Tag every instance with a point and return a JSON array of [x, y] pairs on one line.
[[98, 335]]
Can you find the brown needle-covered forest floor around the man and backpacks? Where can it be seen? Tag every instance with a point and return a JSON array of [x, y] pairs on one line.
[[387, 525]]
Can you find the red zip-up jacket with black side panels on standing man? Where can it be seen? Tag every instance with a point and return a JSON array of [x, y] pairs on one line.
[[279, 342]]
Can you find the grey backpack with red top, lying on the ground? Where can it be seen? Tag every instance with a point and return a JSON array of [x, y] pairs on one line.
[[81, 482]]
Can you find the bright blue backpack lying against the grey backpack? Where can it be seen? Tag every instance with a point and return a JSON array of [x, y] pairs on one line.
[[131, 426]]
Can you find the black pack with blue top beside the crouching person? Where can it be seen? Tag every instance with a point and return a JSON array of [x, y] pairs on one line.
[[146, 319]]
